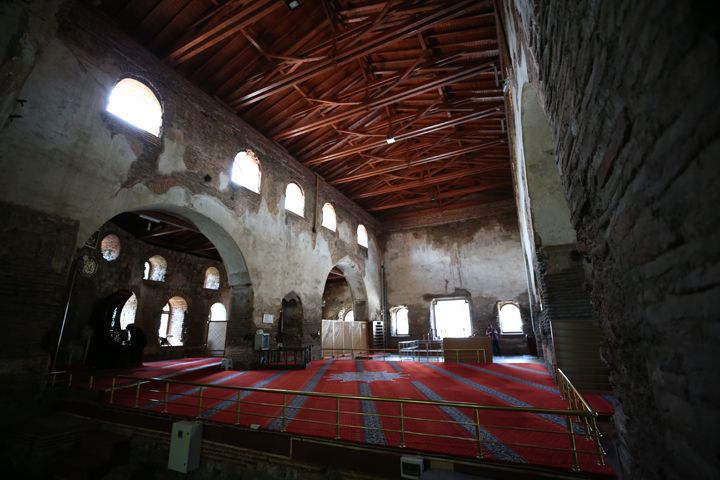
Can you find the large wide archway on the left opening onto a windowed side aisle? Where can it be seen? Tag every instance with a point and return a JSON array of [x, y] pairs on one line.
[[202, 235]]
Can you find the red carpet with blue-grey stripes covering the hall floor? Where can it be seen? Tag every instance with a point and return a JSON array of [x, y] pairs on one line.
[[516, 437]]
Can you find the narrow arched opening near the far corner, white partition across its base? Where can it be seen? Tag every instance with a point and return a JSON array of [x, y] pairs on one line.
[[344, 307]]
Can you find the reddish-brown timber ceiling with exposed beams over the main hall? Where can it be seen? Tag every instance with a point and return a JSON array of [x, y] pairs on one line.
[[333, 81]]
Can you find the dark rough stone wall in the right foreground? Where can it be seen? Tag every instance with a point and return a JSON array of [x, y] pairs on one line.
[[630, 92]]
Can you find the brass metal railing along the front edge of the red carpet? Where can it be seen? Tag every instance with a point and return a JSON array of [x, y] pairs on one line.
[[403, 422]]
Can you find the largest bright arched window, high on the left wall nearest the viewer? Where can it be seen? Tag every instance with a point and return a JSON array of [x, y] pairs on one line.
[[135, 103]]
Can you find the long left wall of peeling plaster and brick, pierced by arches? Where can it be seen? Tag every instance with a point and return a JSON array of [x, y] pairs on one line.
[[64, 158]]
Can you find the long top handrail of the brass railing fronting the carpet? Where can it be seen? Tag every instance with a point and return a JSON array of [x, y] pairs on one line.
[[570, 413]]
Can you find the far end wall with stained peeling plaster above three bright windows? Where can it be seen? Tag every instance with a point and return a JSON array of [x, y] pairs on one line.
[[480, 259]]
